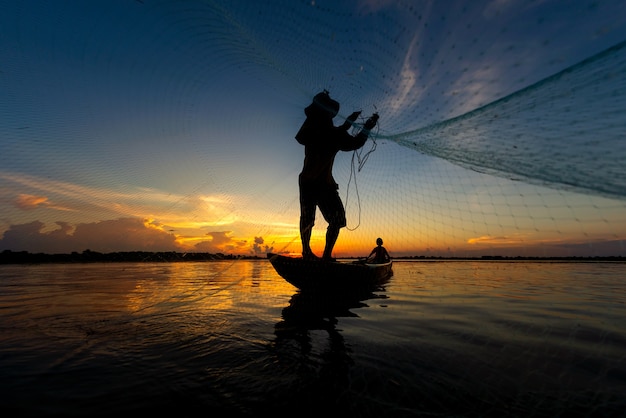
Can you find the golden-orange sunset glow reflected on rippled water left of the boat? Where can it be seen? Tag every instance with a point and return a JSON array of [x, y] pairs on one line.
[[179, 300]]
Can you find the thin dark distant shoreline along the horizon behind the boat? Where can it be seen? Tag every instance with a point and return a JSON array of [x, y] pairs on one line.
[[88, 256]]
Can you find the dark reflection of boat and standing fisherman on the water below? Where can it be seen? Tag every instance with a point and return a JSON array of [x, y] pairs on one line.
[[310, 345]]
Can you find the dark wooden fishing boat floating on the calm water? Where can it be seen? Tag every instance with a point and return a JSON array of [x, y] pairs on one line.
[[330, 275]]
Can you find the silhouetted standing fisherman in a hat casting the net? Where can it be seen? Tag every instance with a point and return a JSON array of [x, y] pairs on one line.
[[322, 140]]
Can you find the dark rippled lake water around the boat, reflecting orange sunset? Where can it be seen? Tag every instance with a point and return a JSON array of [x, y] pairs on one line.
[[233, 338]]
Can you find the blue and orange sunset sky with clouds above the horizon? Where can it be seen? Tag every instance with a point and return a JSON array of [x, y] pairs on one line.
[[169, 126]]
